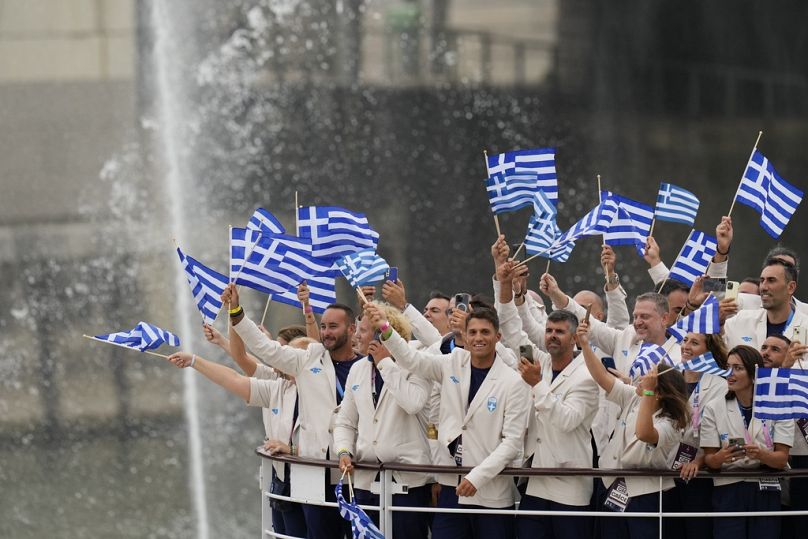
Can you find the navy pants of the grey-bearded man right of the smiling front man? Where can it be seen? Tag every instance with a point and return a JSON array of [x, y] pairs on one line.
[[549, 527]]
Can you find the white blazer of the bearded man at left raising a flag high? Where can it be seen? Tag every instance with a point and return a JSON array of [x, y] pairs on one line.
[[314, 373]]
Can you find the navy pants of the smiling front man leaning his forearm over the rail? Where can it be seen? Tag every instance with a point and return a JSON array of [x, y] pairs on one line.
[[456, 526]]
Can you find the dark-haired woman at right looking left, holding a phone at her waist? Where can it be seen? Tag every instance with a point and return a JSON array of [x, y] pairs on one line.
[[734, 440]]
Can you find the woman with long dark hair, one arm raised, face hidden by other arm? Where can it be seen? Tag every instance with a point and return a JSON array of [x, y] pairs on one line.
[[647, 434]]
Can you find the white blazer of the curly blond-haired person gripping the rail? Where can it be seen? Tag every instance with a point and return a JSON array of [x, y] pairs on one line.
[[394, 431]]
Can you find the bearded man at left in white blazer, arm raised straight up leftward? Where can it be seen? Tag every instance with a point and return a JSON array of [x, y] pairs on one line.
[[321, 372]]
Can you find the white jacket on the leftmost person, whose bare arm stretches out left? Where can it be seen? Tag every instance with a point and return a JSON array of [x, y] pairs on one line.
[[277, 398]]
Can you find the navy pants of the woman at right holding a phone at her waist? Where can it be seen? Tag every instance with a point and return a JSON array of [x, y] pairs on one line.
[[746, 496]]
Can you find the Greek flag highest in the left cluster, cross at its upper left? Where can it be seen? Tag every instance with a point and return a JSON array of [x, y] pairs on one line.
[[335, 232]]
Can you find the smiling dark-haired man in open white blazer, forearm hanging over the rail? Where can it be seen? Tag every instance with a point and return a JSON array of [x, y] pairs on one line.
[[483, 411]]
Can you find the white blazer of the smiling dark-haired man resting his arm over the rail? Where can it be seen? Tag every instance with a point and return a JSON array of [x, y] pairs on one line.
[[493, 424]]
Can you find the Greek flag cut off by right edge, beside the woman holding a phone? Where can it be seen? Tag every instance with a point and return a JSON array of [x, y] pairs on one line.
[[781, 394]]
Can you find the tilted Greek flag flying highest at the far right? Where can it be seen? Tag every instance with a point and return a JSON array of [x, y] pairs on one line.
[[763, 189]]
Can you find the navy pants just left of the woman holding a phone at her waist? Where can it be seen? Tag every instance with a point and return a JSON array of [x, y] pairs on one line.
[[695, 496]]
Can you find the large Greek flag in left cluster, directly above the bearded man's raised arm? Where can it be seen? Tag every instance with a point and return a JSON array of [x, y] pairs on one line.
[[277, 264]]
